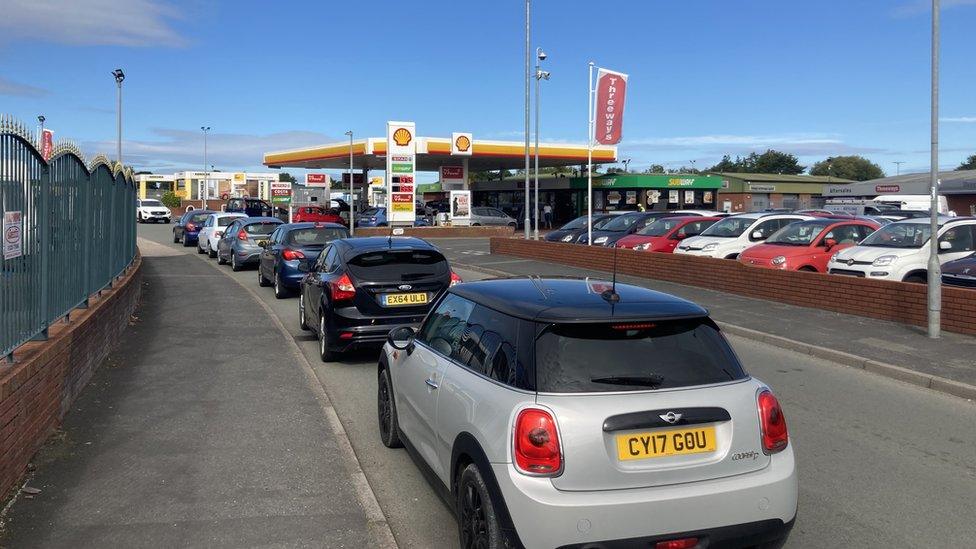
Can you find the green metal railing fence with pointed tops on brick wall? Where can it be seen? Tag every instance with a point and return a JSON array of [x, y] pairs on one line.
[[69, 231]]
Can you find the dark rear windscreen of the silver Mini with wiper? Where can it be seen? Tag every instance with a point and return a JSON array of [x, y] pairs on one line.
[[633, 356]]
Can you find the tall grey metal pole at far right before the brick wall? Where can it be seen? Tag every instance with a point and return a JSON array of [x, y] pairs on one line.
[[934, 267]]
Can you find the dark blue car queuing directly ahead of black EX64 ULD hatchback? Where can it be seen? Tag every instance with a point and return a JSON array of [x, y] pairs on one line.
[[291, 246]]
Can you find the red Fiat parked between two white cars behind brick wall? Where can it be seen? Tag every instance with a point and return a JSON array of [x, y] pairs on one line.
[[807, 245]]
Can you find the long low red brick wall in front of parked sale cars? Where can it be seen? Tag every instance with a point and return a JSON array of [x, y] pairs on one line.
[[895, 301]]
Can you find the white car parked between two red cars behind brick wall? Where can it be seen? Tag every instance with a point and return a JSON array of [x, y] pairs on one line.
[[727, 238]]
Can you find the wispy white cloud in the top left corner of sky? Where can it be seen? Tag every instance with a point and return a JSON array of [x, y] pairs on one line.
[[91, 22]]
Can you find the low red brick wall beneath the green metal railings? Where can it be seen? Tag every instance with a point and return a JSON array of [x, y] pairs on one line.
[[38, 389]]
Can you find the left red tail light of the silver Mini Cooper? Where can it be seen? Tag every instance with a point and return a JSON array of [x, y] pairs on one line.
[[536, 446]]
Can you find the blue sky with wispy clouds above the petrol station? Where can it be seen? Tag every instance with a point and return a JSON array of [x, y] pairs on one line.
[[707, 77]]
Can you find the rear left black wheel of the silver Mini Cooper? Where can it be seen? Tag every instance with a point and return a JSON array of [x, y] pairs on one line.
[[478, 524]]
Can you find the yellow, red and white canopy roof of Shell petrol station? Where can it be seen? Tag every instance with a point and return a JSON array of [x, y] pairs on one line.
[[433, 152]]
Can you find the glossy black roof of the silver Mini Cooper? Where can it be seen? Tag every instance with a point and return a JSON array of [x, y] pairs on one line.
[[572, 300]]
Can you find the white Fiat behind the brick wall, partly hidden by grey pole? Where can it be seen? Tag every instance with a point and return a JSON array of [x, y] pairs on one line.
[[900, 250]]
